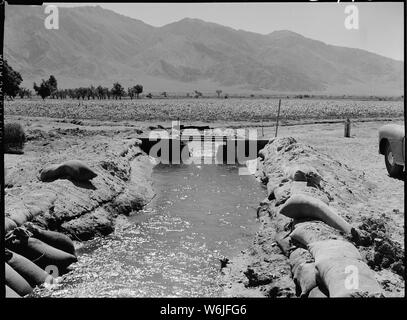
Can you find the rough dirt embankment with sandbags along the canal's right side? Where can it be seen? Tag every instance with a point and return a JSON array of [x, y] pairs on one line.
[[268, 267]]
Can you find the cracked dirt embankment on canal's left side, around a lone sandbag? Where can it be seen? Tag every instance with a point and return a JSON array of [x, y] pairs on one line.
[[81, 210]]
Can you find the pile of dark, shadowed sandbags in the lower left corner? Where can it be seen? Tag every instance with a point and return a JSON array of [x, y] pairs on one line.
[[30, 253]]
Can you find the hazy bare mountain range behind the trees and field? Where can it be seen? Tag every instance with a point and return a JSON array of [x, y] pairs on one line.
[[96, 46]]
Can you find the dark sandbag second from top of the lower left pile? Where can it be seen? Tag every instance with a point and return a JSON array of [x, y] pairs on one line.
[[41, 253]]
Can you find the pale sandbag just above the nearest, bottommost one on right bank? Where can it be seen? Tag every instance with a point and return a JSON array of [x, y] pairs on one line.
[[332, 249]]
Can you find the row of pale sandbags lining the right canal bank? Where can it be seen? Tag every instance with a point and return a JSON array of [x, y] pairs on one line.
[[324, 263]]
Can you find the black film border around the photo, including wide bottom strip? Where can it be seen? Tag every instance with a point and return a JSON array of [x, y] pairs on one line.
[[147, 307]]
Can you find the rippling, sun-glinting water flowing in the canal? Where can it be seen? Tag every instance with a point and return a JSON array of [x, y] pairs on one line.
[[200, 214]]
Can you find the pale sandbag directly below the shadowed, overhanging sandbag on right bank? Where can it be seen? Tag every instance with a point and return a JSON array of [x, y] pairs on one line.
[[308, 232]]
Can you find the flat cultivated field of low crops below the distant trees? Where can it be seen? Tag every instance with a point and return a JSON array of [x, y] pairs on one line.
[[205, 110]]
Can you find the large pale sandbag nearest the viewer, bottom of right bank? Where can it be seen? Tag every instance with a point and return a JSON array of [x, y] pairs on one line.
[[336, 275]]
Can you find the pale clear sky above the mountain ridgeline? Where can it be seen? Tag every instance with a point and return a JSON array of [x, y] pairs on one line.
[[381, 25]]
